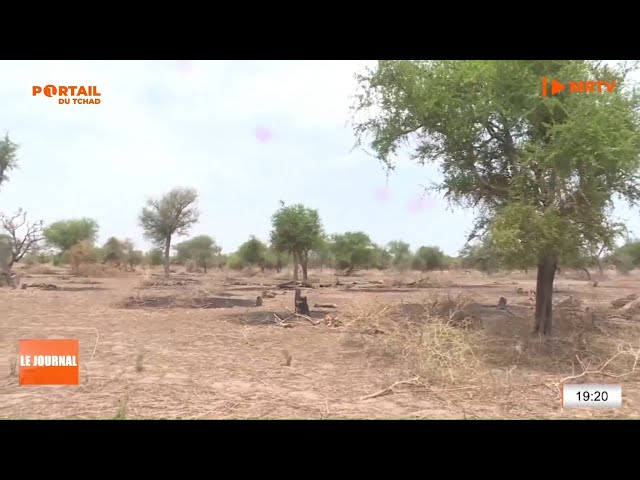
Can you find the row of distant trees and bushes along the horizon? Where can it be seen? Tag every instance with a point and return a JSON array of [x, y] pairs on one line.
[[297, 240]]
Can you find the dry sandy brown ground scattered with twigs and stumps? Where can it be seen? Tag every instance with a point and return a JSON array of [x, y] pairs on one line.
[[201, 349]]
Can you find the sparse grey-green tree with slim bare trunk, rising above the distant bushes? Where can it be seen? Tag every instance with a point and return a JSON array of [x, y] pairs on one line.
[[173, 213]]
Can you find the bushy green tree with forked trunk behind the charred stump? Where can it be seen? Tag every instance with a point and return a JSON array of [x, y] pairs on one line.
[[296, 230]]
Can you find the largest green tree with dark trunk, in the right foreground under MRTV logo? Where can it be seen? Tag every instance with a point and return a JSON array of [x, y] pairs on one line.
[[541, 171]]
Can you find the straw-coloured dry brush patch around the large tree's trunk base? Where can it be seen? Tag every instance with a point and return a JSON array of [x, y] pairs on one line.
[[430, 341]]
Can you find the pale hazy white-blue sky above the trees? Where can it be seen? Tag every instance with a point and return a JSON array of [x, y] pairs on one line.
[[244, 134]]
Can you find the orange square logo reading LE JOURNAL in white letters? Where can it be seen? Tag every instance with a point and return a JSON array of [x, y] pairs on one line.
[[49, 362]]
